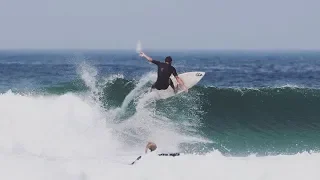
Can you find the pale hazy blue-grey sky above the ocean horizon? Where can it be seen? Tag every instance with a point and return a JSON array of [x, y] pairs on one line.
[[160, 24]]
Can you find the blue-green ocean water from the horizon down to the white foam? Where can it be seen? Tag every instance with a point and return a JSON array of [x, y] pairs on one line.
[[248, 102]]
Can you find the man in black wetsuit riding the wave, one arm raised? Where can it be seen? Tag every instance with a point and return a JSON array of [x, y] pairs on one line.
[[164, 72]]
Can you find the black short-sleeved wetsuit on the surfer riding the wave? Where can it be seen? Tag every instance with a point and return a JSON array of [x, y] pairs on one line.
[[164, 72]]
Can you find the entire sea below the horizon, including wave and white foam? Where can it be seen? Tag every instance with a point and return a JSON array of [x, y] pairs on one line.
[[73, 121]]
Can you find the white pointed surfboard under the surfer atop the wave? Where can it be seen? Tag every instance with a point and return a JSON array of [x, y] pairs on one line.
[[189, 78]]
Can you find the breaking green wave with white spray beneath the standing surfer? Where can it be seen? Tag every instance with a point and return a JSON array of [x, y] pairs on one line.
[[269, 120]]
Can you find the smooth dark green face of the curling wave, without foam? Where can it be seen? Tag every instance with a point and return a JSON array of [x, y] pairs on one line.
[[239, 120]]
